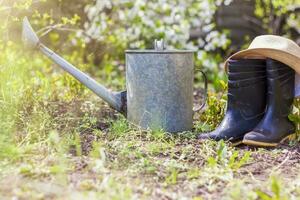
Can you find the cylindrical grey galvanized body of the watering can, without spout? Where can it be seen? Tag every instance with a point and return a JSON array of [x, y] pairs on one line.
[[160, 89]]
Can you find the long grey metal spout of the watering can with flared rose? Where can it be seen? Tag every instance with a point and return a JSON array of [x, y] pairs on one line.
[[116, 100]]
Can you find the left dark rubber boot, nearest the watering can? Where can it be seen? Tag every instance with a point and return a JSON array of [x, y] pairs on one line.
[[246, 100]]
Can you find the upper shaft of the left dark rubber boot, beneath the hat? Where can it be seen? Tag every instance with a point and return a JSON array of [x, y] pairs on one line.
[[247, 87]]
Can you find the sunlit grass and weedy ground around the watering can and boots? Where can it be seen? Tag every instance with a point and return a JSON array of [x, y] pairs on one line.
[[59, 141]]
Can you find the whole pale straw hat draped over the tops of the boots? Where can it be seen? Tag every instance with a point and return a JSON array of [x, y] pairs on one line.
[[272, 46]]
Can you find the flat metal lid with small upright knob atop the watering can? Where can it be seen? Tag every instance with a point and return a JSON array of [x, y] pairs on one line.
[[159, 48]]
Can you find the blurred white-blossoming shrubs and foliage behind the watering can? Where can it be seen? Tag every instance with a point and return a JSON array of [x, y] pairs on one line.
[[99, 31]]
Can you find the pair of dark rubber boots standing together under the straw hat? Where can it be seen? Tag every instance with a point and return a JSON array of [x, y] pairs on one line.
[[260, 97]]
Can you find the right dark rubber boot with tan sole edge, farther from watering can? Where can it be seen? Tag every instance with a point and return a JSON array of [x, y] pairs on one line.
[[275, 127]]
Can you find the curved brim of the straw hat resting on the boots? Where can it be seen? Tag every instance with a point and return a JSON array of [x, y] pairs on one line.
[[279, 55]]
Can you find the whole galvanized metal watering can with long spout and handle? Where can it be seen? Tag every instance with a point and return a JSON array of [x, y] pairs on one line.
[[159, 85]]
